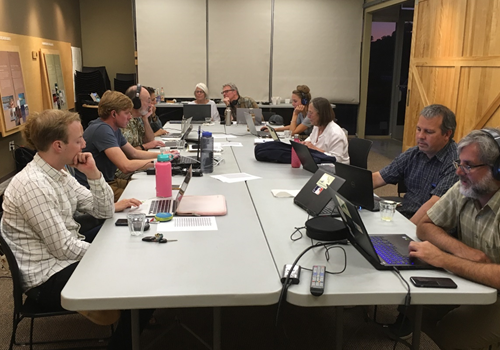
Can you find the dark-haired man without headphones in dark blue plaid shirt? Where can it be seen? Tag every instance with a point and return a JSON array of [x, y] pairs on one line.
[[426, 169]]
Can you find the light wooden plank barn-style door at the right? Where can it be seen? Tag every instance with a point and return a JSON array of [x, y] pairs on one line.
[[455, 61]]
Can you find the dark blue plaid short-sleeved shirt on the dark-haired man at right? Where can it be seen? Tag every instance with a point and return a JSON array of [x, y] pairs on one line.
[[422, 176]]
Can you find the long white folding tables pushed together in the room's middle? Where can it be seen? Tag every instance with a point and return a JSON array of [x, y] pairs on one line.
[[240, 264]]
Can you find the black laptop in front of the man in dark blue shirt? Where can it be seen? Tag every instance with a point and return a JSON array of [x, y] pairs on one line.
[[358, 187]]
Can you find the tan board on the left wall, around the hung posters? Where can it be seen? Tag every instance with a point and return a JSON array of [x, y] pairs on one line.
[[37, 94]]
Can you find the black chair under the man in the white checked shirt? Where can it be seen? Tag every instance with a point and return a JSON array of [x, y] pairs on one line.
[[28, 308]]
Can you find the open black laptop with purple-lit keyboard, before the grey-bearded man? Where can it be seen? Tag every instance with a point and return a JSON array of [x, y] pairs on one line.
[[384, 252]]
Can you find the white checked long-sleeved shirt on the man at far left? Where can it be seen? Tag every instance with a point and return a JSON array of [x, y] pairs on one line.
[[38, 223]]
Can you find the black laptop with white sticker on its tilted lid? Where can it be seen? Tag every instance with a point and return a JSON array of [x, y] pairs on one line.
[[314, 198]]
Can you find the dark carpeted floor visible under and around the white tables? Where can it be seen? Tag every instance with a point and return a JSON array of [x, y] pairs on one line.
[[242, 327]]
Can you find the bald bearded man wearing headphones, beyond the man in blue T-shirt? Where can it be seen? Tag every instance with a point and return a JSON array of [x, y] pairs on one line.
[[138, 131]]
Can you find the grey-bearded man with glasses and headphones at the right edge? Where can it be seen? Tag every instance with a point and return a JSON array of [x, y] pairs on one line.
[[471, 207]]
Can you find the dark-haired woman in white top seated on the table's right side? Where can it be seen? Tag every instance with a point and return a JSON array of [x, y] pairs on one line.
[[327, 136]]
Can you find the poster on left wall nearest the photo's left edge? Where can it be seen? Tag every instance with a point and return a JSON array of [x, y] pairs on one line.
[[14, 105]]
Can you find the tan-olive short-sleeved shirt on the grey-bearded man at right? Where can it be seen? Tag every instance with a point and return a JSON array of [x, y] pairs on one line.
[[477, 227]]
